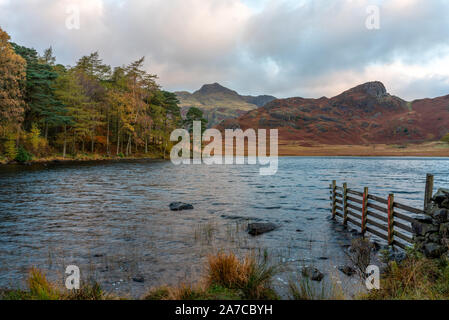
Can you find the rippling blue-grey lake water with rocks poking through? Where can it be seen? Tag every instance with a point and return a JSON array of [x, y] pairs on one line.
[[113, 221]]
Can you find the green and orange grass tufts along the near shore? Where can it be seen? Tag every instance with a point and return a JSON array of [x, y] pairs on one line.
[[228, 277]]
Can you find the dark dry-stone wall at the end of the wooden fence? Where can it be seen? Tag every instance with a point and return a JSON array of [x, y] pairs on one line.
[[431, 230]]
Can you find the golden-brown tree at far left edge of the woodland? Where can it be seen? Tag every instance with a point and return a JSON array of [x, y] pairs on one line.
[[12, 82]]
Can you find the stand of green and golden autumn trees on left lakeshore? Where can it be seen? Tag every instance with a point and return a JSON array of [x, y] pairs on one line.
[[81, 104]]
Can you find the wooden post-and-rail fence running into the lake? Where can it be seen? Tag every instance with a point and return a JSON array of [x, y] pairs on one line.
[[385, 218]]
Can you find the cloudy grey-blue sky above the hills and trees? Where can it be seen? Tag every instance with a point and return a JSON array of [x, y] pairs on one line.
[[284, 48]]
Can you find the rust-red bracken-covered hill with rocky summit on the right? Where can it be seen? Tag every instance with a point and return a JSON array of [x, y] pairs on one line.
[[365, 114]]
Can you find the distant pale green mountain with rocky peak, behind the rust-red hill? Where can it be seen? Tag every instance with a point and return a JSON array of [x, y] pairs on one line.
[[219, 103]]
